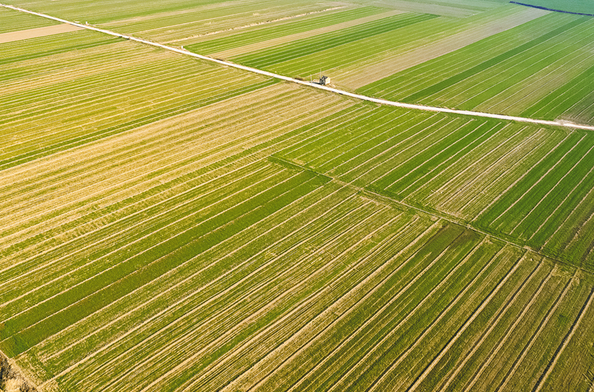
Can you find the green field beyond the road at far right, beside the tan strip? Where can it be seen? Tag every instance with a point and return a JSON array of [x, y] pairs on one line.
[[507, 72]]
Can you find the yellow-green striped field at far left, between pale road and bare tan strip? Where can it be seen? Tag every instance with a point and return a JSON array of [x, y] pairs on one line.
[[117, 86]]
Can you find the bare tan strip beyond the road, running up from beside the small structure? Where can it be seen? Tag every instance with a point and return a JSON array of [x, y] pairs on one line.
[[370, 73]]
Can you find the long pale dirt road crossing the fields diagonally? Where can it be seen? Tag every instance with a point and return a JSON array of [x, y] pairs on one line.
[[558, 123]]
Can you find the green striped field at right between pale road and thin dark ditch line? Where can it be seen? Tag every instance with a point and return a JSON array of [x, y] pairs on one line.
[[528, 184]]
